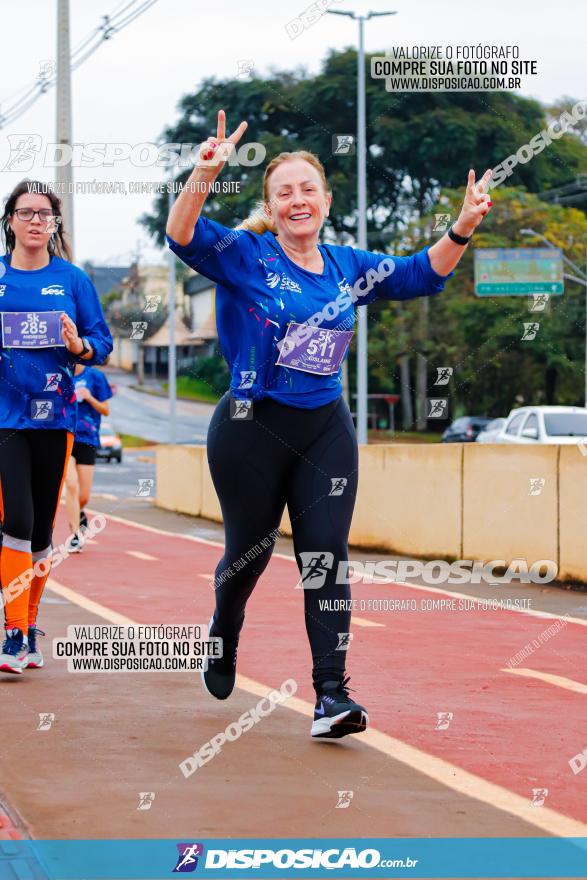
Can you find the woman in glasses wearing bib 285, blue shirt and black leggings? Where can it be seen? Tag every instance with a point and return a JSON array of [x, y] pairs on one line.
[[51, 320]]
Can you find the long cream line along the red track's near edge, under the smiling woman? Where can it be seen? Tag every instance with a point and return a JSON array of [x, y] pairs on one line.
[[440, 771]]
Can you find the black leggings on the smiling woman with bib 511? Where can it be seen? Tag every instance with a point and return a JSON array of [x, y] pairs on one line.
[[286, 455]]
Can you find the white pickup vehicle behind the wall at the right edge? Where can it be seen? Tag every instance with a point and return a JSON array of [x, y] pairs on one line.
[[564, 425]]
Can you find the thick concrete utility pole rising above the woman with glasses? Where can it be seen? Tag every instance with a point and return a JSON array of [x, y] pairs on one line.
[[64, 173]]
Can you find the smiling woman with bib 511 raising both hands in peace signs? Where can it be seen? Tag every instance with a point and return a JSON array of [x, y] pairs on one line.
[[283, 433]]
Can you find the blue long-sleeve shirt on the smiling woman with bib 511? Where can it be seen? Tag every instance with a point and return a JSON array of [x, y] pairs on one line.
[[259, 290]]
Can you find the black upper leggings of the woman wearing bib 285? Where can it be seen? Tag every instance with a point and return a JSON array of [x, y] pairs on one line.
[[32, 466]]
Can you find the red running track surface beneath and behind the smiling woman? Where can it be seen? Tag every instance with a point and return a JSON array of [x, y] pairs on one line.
[[519, 733]]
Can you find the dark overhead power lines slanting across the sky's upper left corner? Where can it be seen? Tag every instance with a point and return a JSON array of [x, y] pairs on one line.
[[111, 25]]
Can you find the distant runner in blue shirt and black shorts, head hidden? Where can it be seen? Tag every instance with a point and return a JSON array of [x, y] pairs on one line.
[[92, 392]]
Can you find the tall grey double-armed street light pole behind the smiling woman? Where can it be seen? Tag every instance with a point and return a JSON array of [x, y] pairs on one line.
[[362, 373]]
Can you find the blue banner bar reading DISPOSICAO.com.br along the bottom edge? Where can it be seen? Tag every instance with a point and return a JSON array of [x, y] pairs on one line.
[[509, 857]]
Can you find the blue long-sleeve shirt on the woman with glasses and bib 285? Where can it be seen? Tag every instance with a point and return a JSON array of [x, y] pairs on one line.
[[36, 384]]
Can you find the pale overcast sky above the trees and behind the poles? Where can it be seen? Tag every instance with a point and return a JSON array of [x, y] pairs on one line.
[[128, 90]]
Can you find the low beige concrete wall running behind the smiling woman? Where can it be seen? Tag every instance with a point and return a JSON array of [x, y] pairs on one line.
[[461, 501]]
